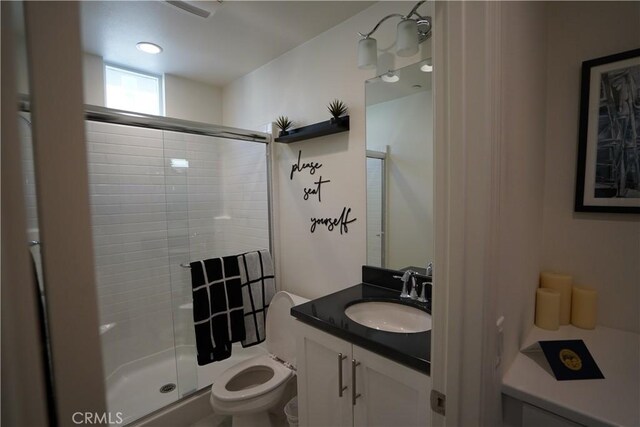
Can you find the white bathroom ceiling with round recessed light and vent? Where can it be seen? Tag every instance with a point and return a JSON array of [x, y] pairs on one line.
[[238, 38]]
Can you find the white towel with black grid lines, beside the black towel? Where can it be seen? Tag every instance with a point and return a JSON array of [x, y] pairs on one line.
[[258, 288]]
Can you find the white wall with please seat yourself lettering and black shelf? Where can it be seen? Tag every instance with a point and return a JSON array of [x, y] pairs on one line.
[[300, 84]]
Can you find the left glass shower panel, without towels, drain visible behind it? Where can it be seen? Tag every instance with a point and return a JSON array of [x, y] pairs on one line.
[[132, 260]]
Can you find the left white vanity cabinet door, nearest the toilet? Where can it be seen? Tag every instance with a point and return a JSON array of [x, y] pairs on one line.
[[318, 365]]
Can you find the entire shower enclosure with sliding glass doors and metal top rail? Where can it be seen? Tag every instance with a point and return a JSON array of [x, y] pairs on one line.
[[164, 193]]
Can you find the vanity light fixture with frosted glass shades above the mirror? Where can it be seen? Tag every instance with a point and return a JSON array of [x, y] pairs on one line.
[[412, 30]]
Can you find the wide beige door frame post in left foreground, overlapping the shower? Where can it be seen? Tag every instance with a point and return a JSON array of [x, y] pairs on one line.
[[54, 54]]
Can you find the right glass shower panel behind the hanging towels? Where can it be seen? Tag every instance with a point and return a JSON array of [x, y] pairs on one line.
[[227, 214]]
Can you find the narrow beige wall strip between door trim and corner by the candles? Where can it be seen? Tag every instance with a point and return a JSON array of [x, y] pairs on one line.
[[522, 168]]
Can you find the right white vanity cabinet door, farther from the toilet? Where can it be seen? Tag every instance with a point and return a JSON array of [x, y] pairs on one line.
[[391, 394]]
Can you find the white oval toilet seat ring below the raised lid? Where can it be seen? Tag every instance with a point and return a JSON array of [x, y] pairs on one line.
[[281, 374]]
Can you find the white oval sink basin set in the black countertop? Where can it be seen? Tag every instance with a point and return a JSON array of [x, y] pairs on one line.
[[389, 316]]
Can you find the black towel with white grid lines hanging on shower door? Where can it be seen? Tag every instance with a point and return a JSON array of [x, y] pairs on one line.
[[217, 307]]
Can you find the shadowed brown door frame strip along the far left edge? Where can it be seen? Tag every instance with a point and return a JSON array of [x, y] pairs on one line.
[[23, 373]]
